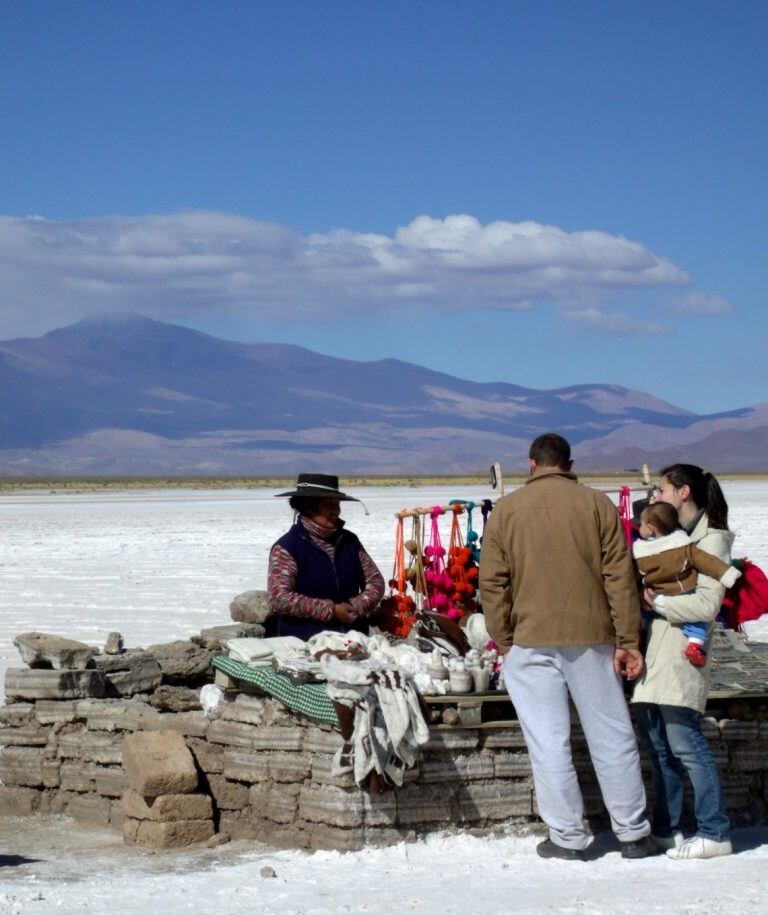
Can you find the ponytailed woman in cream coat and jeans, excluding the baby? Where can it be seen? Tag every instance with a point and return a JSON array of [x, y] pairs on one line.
[[670, 697]]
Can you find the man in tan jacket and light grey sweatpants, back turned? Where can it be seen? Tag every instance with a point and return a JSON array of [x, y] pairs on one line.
[[560, 601]]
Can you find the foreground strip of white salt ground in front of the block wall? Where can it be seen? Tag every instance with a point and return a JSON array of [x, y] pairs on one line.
[[74, 869]]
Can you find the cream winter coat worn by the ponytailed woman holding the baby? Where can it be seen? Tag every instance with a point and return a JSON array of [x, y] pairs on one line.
[[669, 678]]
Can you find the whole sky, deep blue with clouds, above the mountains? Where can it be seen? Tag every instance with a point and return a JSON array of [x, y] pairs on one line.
[[286, 172]]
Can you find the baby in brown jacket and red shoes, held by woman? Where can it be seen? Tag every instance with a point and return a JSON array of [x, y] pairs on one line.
[[669, 564]]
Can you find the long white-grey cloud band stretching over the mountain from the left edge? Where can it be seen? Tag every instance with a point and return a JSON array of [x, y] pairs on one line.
[[201, 262]]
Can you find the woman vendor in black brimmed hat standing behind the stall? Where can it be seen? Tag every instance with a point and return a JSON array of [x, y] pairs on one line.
[[320, 577]]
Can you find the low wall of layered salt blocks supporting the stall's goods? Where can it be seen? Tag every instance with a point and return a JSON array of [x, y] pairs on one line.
[[269, 772]]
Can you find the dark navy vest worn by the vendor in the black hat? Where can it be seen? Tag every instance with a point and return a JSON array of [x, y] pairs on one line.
[[319, 576]]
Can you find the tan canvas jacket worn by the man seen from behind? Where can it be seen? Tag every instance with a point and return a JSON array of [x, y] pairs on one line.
[[555, 569]]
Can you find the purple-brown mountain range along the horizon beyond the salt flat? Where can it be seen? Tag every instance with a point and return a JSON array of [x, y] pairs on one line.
[[130, 395]]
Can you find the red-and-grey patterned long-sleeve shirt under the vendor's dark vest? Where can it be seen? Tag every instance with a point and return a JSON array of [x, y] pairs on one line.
[[283, 571]]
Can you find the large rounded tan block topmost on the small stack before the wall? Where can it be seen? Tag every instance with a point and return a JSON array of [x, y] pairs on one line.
[[158, 762]]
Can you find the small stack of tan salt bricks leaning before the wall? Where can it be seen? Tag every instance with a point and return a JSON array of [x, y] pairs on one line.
[[162, 807]]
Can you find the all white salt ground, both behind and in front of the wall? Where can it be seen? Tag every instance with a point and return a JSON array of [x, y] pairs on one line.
[[158, 566]]
